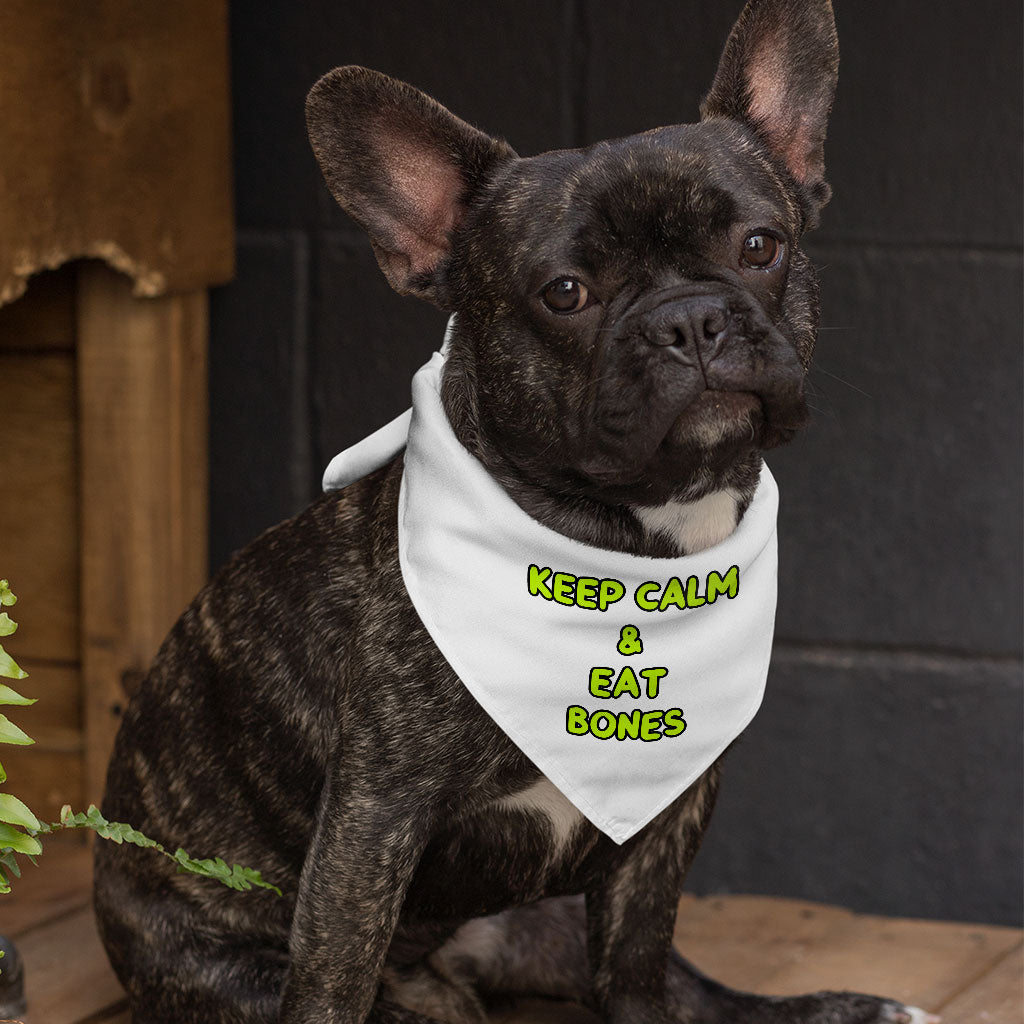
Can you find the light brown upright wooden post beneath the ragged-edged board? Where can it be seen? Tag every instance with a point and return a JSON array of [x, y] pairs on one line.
[[143, 403]]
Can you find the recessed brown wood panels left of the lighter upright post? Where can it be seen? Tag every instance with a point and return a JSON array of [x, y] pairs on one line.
[[39, 543]]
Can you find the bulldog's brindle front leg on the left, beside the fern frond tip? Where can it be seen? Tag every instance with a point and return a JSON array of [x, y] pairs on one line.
[[368, 843]]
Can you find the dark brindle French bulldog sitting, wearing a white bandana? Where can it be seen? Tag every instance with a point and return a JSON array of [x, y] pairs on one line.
[[634, 324]]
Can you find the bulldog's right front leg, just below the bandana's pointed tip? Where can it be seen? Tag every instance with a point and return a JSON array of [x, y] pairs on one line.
[[631, 913]]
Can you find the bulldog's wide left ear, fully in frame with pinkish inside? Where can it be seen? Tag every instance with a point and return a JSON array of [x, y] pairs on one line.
[[402, 165]]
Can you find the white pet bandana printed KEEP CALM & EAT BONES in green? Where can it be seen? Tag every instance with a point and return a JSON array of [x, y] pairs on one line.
[[621, 677]]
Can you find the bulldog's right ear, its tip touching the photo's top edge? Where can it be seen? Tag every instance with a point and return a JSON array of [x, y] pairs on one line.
[[778, 74]]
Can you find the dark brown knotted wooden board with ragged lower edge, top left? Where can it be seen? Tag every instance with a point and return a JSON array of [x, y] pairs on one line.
[[115, 142]]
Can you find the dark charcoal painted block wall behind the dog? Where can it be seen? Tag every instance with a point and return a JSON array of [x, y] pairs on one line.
[[884, 772]]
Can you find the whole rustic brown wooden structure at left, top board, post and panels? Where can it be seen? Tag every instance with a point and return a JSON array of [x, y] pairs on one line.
[[115, 144]]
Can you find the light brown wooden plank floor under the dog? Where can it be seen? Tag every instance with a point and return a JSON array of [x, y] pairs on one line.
[[970, 974]]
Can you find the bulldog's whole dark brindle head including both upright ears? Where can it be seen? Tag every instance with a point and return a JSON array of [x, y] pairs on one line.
[[635, 319]]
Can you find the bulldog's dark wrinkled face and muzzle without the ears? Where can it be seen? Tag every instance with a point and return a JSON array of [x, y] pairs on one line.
[[646, 313]]
